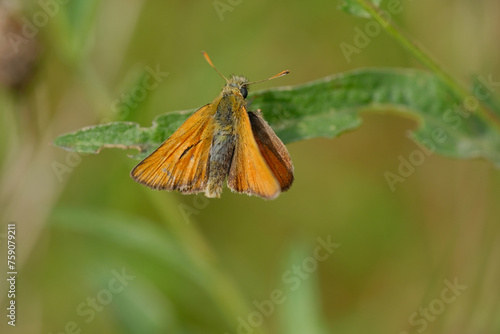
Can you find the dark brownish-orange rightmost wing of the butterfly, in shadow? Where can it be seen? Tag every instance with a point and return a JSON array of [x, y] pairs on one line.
[[273, 150]]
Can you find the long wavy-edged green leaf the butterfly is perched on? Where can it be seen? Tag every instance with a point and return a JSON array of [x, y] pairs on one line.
[[329, 107]]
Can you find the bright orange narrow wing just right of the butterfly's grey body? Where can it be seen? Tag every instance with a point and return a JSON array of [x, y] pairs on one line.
[[249, 172]]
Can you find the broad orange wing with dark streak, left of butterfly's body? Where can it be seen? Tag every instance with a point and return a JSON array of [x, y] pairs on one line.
[[181, 162]]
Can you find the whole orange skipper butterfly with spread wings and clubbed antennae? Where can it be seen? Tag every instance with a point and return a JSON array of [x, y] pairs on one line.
[[221, 140]]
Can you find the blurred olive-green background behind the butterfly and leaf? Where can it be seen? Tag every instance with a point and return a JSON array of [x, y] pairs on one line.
[[239, 264]]
